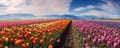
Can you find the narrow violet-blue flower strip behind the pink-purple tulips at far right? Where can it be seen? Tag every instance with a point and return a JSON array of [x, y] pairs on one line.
[[108, 23]]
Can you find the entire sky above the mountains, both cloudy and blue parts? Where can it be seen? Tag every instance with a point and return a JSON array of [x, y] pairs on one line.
[[99, 8]]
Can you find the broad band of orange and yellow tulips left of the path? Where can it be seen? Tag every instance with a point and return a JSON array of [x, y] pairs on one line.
[[38, 35]]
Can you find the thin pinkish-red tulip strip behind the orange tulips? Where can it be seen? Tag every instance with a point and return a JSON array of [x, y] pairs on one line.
[[2, 24]]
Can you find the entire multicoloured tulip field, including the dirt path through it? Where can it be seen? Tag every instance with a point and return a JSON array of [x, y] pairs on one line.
[[59, 34]]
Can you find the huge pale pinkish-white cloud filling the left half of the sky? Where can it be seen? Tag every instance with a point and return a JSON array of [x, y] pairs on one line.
[[36, 7]]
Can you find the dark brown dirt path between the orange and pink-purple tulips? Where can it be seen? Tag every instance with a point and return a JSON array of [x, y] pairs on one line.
[[68, 39]]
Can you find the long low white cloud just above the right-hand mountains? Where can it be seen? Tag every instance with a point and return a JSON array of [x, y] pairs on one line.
[[100, 14]]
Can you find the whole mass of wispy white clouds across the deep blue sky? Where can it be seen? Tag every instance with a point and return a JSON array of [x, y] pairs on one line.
[[109, 9]]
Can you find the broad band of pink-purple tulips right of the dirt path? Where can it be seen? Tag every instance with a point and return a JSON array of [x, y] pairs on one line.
[[93, 35]]
